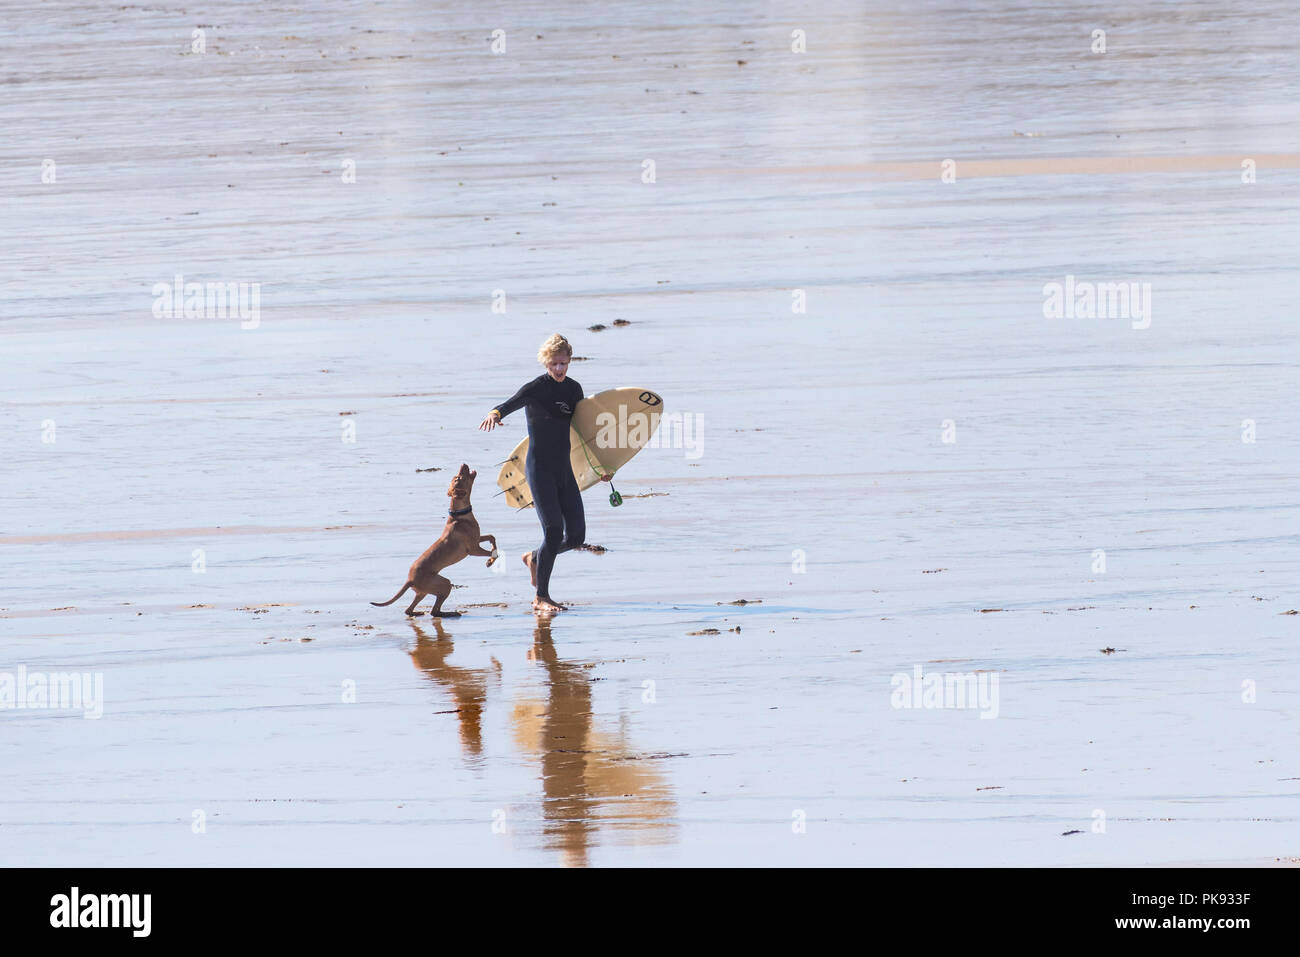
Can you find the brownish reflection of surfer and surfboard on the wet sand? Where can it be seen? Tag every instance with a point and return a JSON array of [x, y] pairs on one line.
[[590, 780]]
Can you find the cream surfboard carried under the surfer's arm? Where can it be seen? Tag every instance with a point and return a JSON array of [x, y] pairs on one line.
[[608, 430]]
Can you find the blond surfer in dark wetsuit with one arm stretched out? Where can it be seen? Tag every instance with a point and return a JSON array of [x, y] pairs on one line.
[[549, 402]]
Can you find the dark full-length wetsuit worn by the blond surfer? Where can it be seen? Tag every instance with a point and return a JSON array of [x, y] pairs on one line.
[[549, 408]]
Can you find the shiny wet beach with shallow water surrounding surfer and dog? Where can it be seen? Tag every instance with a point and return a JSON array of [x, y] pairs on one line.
[[613, 737]]
